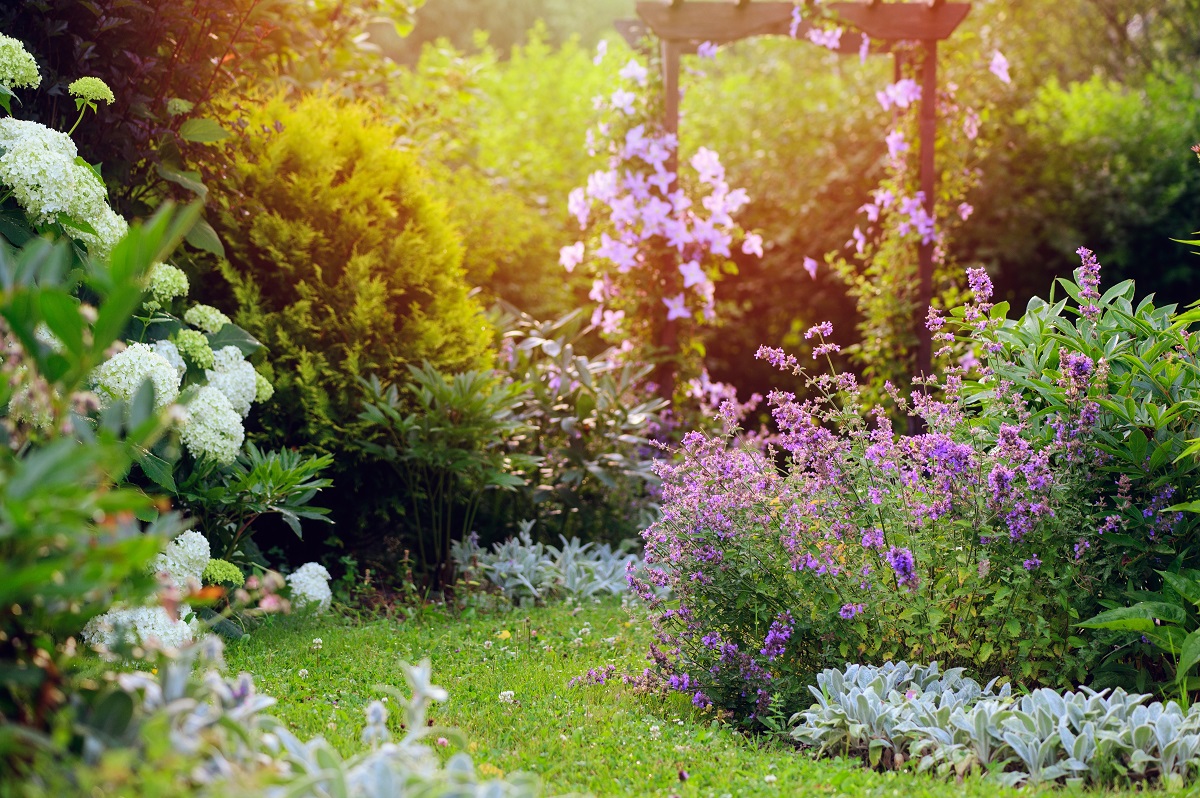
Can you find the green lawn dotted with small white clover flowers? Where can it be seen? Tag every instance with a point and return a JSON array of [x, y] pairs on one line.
[[599, 740]]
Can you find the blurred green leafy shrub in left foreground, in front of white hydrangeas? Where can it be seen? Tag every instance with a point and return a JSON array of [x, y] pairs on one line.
[[73, 539]]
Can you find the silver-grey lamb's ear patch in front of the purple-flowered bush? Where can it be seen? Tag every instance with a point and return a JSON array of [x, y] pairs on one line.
[[951, 725]]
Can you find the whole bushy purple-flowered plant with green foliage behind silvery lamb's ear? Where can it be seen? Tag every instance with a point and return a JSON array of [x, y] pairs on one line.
[[844, 539]]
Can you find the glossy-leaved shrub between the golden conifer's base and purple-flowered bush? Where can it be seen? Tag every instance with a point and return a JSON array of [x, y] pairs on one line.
[[590, 419]]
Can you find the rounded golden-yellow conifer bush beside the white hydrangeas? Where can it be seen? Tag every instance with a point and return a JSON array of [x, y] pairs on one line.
[[341, 262]]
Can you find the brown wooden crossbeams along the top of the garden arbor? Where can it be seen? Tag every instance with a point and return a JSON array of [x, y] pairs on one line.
[[729, 22]]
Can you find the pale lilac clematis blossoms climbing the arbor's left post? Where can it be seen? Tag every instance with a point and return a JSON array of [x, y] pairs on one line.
[[644, 214]]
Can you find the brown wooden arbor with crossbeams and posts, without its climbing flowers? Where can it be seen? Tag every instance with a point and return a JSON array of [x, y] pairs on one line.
[[682, 27]]
